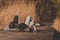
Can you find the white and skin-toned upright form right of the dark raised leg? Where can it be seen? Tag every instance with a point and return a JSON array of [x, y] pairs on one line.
[[30, 22]]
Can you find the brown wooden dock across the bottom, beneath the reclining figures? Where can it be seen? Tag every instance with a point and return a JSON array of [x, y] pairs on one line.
[[42, 35]]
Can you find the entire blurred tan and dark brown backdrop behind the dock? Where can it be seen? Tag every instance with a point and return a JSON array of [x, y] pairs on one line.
[[43, 11]]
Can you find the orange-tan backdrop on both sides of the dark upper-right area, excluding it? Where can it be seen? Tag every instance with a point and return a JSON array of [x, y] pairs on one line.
[[23, 8]]
